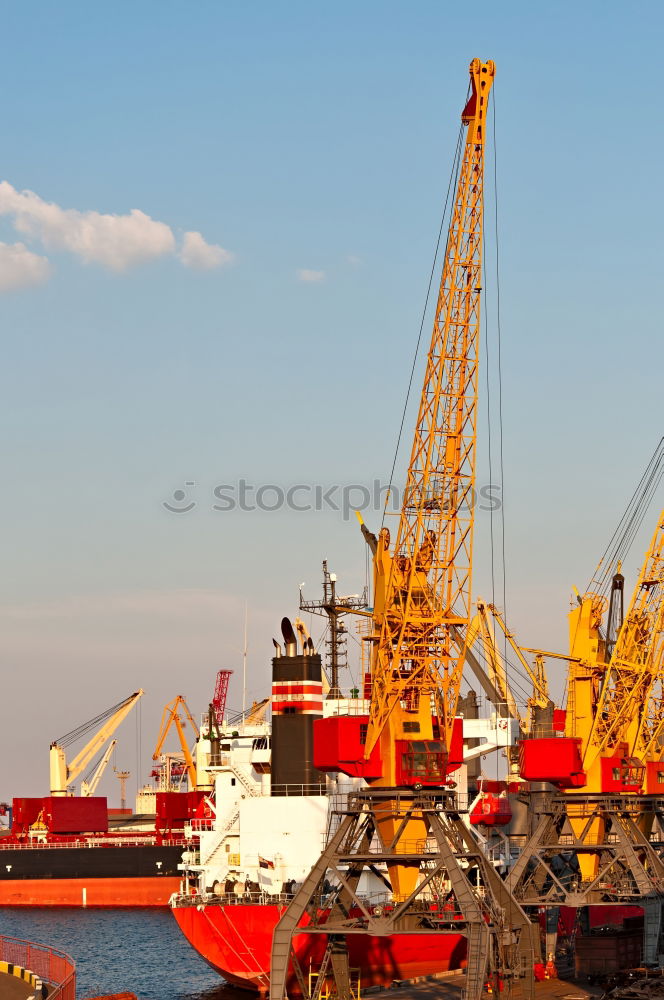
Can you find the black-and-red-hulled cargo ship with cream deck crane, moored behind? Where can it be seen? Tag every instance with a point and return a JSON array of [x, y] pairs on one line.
[[65, 850]]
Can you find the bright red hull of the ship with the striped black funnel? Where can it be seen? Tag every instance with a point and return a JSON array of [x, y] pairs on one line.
[[236, 940]]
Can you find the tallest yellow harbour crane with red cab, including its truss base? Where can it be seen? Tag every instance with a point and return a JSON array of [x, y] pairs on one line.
[[406, 822]]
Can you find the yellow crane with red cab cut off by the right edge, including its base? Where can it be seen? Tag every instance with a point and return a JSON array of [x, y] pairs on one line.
[[610, 755]]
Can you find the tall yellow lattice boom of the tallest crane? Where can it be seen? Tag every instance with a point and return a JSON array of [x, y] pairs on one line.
[[428, 578]]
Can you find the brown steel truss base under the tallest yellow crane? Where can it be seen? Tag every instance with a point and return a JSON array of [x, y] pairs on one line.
[[459, 892]]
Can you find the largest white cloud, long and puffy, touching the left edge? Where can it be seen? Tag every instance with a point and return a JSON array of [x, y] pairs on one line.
[[114, 241]]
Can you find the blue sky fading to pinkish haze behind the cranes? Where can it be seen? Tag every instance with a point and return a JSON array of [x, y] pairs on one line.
[[309, 146]]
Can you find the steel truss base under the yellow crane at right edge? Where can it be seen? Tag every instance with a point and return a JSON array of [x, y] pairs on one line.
[[606, 827]]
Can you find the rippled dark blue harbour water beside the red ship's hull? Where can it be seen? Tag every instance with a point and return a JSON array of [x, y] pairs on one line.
[[139, 950]]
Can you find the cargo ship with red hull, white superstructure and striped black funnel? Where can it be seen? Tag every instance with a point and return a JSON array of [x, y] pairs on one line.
[[245, 863]]
